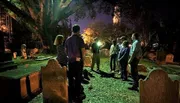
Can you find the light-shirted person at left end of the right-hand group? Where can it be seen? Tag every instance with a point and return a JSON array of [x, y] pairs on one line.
[[113, 55]]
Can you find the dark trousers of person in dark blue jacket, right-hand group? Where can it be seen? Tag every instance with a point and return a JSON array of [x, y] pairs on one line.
[[123, 69]]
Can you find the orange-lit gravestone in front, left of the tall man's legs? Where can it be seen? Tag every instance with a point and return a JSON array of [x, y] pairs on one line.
[[54, 83]]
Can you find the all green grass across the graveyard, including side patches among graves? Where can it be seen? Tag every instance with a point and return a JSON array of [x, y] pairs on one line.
[[103, 87]]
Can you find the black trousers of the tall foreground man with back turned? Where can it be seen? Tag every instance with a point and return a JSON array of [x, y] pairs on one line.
[[75, 78]]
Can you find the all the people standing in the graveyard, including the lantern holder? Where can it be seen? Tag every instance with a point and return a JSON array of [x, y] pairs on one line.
[[71, 53]]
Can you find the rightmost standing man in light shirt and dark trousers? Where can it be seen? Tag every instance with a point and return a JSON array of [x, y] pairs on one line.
[[135, 55]]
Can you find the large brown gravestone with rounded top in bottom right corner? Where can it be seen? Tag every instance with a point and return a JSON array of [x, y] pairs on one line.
[[158, 88]]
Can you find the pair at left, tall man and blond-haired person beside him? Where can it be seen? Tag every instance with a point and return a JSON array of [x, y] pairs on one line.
[[71, 54]]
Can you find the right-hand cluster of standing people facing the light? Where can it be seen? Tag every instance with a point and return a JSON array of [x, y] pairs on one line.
[[125, 55]]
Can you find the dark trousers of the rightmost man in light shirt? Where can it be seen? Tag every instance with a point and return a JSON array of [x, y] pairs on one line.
[[134, 72]]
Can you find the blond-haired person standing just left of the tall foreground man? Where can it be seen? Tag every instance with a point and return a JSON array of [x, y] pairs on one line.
[[61, 54]]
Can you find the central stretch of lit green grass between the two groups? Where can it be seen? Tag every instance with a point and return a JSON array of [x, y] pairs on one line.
[[106, 88]]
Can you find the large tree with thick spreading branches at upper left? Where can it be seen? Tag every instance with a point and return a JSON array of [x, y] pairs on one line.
[[42, 16]]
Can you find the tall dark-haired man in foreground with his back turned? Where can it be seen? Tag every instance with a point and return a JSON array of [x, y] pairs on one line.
[[75, 49]]
